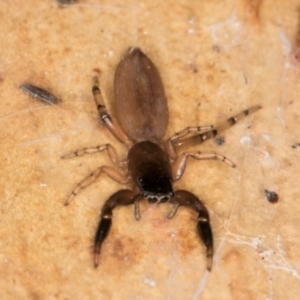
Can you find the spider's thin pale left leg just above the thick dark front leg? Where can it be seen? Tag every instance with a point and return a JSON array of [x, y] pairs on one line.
[[109, 171]]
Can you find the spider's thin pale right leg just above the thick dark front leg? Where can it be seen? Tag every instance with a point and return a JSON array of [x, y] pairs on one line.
[[181, 162]]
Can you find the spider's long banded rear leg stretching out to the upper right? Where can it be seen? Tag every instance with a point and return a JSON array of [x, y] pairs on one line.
[[179, 140]]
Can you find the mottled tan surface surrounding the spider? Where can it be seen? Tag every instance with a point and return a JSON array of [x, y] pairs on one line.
[[216, 58]]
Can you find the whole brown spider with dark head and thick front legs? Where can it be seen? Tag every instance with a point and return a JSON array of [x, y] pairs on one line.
[[152, 163]]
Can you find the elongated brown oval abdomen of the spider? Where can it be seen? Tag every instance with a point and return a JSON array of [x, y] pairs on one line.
[[140, 100]]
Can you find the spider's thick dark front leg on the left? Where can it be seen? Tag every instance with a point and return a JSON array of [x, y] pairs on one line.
[[122, 197]]
